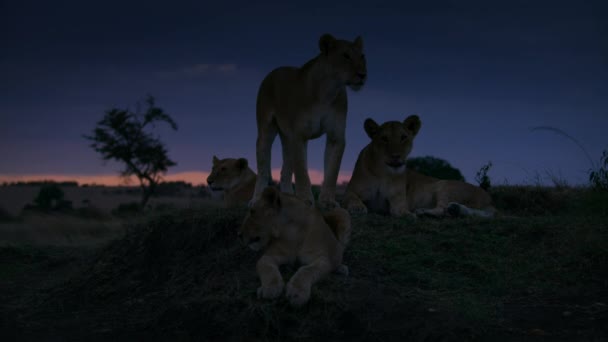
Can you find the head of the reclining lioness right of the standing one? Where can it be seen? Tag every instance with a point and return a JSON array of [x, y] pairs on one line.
[[392, 141]]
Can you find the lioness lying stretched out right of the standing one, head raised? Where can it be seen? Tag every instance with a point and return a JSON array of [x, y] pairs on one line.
[[381, 183]]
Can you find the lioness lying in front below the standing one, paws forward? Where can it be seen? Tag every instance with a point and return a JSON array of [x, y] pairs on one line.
[[288, 229]]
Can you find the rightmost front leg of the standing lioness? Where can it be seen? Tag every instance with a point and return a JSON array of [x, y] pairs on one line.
[[334, 149]]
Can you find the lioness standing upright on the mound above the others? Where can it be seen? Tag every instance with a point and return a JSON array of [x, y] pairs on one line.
[[300, 104]]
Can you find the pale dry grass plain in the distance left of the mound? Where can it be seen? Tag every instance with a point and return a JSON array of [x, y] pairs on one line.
[[88, 226]]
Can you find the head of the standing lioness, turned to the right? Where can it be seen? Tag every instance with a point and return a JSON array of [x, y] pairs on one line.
[[345, 59]]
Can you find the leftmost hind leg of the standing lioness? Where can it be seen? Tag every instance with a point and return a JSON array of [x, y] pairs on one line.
[[267, 132]]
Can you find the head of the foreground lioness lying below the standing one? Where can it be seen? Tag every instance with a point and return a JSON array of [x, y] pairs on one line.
[[261, 224]]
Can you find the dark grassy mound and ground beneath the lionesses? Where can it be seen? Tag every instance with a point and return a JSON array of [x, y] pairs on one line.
[[538, 273]]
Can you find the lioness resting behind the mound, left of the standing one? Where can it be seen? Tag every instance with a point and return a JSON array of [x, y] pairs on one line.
[[234, 178]]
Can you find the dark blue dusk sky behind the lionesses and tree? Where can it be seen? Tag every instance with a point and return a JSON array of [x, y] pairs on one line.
[[480, 74]]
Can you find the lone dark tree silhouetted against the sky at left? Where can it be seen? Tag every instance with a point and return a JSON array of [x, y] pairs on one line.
[[121, 135]]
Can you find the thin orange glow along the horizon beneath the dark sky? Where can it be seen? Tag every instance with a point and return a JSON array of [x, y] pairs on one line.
[[193, 177]]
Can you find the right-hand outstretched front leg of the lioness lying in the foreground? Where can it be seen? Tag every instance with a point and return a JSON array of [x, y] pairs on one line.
[[298, 287]]
